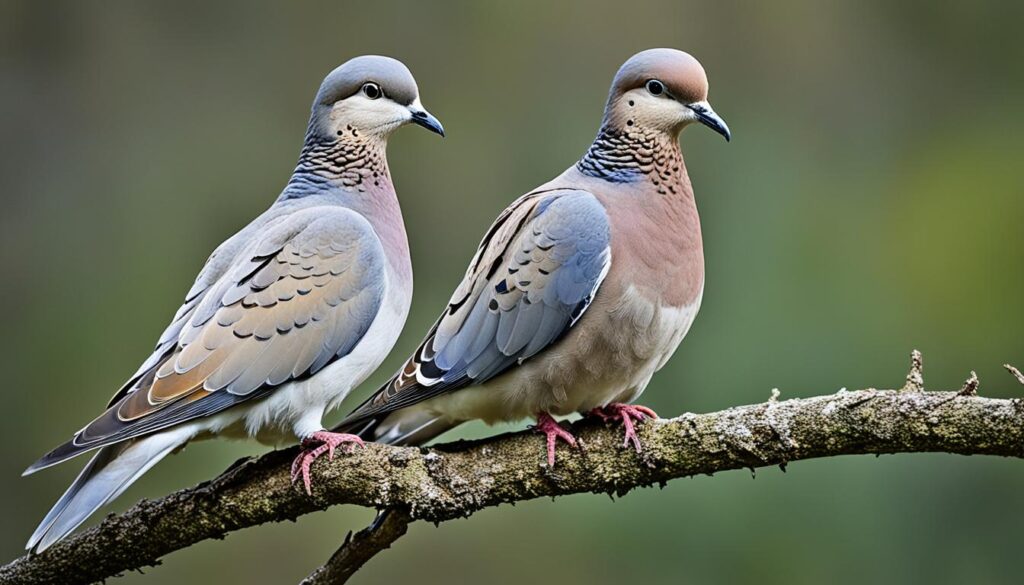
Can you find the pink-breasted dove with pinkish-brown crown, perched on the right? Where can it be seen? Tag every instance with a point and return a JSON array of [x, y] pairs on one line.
[[581, 290]]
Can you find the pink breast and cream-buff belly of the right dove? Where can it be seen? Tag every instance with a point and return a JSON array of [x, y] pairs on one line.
[[639, 316]]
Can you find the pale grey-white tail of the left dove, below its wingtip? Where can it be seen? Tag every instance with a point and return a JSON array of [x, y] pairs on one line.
[[109, 474]]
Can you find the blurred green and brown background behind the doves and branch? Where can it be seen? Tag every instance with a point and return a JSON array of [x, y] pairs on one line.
[[870, 203]]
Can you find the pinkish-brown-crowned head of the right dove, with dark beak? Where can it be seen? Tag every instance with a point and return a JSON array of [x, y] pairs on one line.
[[662, 91]]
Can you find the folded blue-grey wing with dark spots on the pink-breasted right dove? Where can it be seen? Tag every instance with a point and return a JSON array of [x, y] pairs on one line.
[[534, 276]]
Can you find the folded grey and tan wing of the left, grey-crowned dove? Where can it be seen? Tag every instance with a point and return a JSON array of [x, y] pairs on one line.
[[300, 298]]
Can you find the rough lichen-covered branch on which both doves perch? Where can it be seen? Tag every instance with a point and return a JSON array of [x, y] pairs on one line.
[[456, 480]]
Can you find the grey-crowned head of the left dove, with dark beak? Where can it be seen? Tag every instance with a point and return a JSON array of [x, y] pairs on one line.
[[369, 97]]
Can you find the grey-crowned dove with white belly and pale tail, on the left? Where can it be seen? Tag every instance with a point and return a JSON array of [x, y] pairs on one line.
[[285, 318]]
